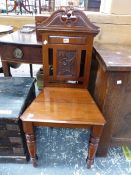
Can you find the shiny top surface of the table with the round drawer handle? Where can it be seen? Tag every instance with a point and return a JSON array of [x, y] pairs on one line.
[[20, 38]]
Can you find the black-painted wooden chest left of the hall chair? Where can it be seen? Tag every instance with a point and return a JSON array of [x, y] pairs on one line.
[[15, 95]]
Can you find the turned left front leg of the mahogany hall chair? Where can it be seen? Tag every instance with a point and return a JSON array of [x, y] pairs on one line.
[[30, 139]]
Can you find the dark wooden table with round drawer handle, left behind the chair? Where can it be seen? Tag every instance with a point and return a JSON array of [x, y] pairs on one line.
[[25, 42]]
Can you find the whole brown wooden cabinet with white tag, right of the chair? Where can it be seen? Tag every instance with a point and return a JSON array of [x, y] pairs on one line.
[[111, 74]]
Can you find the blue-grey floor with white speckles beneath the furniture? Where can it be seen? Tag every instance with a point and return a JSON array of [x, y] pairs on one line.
[[64, 151]]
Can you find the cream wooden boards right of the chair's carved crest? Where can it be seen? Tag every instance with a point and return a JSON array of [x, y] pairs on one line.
[[114, 28]]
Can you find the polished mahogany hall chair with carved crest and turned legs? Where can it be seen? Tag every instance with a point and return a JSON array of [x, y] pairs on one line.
[[67, 38]]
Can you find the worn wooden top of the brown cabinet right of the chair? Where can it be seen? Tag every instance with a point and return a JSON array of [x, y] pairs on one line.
[[114, 57]]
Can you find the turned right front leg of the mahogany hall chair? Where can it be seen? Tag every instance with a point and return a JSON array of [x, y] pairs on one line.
[[93, 144]]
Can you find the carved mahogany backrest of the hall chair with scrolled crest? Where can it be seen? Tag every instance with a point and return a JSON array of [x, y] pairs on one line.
[[67, 39]]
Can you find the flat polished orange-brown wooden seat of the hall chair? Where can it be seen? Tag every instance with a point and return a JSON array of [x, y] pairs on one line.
[[66, 106]]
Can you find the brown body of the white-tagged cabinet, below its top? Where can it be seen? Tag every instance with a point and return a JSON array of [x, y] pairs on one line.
[[112, 93]]
